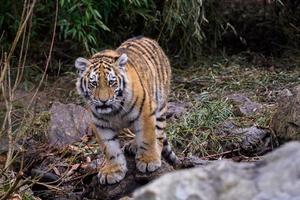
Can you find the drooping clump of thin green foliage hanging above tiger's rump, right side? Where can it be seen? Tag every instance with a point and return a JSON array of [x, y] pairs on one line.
[[182, 25]]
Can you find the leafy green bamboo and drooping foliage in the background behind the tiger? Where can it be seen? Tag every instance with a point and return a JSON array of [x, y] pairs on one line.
[[91, 25]]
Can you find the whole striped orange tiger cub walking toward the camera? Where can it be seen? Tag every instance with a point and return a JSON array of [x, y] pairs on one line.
[[128, 88]]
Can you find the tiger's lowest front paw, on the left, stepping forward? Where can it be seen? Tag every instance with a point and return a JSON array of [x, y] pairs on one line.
[[112, 173]]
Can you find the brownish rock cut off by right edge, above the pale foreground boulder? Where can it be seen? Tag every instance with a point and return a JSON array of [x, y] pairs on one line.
[[286, 121]]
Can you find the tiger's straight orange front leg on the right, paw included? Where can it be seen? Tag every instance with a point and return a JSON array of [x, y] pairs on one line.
[[148, 155]]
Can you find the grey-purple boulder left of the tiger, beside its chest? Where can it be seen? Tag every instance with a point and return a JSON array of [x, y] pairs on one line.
[[68, 123]]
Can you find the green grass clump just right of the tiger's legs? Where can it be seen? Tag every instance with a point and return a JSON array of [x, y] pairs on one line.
[[194, 131]]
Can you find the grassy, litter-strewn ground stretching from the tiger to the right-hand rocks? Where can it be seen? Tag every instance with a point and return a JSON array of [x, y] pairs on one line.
[[204, 87]]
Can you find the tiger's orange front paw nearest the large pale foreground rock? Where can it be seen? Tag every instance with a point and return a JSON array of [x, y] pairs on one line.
[[148, 163]]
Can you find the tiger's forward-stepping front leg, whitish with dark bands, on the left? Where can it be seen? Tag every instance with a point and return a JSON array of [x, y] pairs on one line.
[[114, 168]]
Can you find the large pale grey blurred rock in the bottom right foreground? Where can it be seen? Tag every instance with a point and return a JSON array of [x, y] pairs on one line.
[[276, 177]]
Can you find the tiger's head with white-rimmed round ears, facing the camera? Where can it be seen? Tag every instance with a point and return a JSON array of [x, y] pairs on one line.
[[102, 80]]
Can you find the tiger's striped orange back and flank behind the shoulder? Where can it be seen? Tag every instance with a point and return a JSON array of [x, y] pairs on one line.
[[151, 63]]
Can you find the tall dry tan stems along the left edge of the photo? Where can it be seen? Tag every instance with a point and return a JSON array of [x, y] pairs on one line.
[[14, 127]]
